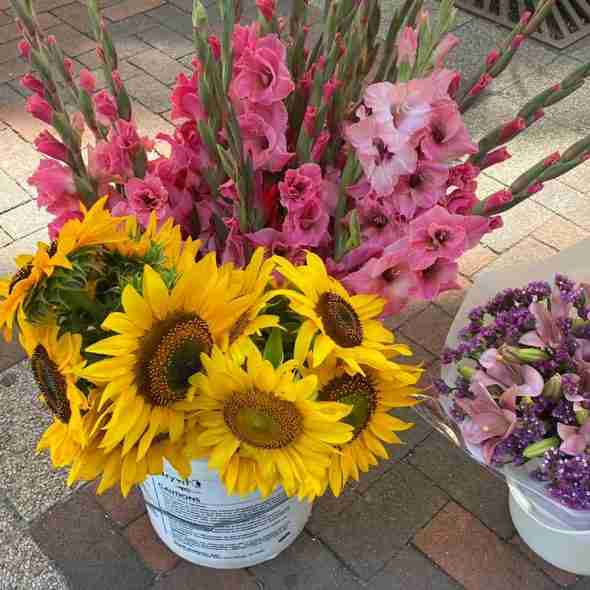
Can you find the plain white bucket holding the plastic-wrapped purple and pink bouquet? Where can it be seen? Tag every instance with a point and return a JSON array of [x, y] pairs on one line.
[[564, 547]]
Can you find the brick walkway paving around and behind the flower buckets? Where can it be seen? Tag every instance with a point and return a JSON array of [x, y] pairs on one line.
[[427, 519]]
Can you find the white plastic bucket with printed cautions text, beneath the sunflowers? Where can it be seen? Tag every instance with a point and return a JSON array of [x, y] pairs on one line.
[[199, 522]]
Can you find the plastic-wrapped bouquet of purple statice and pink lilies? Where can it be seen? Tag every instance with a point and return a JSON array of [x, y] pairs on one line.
[[515, 386]]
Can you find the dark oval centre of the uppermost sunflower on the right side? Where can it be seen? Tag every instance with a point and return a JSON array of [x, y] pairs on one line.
[[340, 320]]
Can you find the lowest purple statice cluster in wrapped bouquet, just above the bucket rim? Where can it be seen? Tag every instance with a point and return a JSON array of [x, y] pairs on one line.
[[568, 478]]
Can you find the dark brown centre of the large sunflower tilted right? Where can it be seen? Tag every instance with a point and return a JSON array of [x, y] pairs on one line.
[[174, 357]]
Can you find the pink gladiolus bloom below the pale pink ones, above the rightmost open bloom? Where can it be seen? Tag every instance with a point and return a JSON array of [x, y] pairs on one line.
[[422, 189]]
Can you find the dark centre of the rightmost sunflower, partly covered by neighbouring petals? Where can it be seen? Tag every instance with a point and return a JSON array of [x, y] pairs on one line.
[[356, 391]]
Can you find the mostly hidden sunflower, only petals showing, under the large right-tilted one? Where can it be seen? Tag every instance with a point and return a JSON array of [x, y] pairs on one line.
[[120, 464]]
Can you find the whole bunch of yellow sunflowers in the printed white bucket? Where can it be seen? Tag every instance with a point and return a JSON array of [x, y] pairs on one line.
[[144, 350]]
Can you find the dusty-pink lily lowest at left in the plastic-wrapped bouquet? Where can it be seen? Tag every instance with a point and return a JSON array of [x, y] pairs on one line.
[[491, 422]]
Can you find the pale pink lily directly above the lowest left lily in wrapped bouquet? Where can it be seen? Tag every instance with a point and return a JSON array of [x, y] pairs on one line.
[[526, 380]]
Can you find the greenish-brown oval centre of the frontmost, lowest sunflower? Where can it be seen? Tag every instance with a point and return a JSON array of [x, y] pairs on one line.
[[262, 420]]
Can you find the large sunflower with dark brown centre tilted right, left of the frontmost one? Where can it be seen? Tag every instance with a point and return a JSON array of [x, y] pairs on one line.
[[161, 334]]
